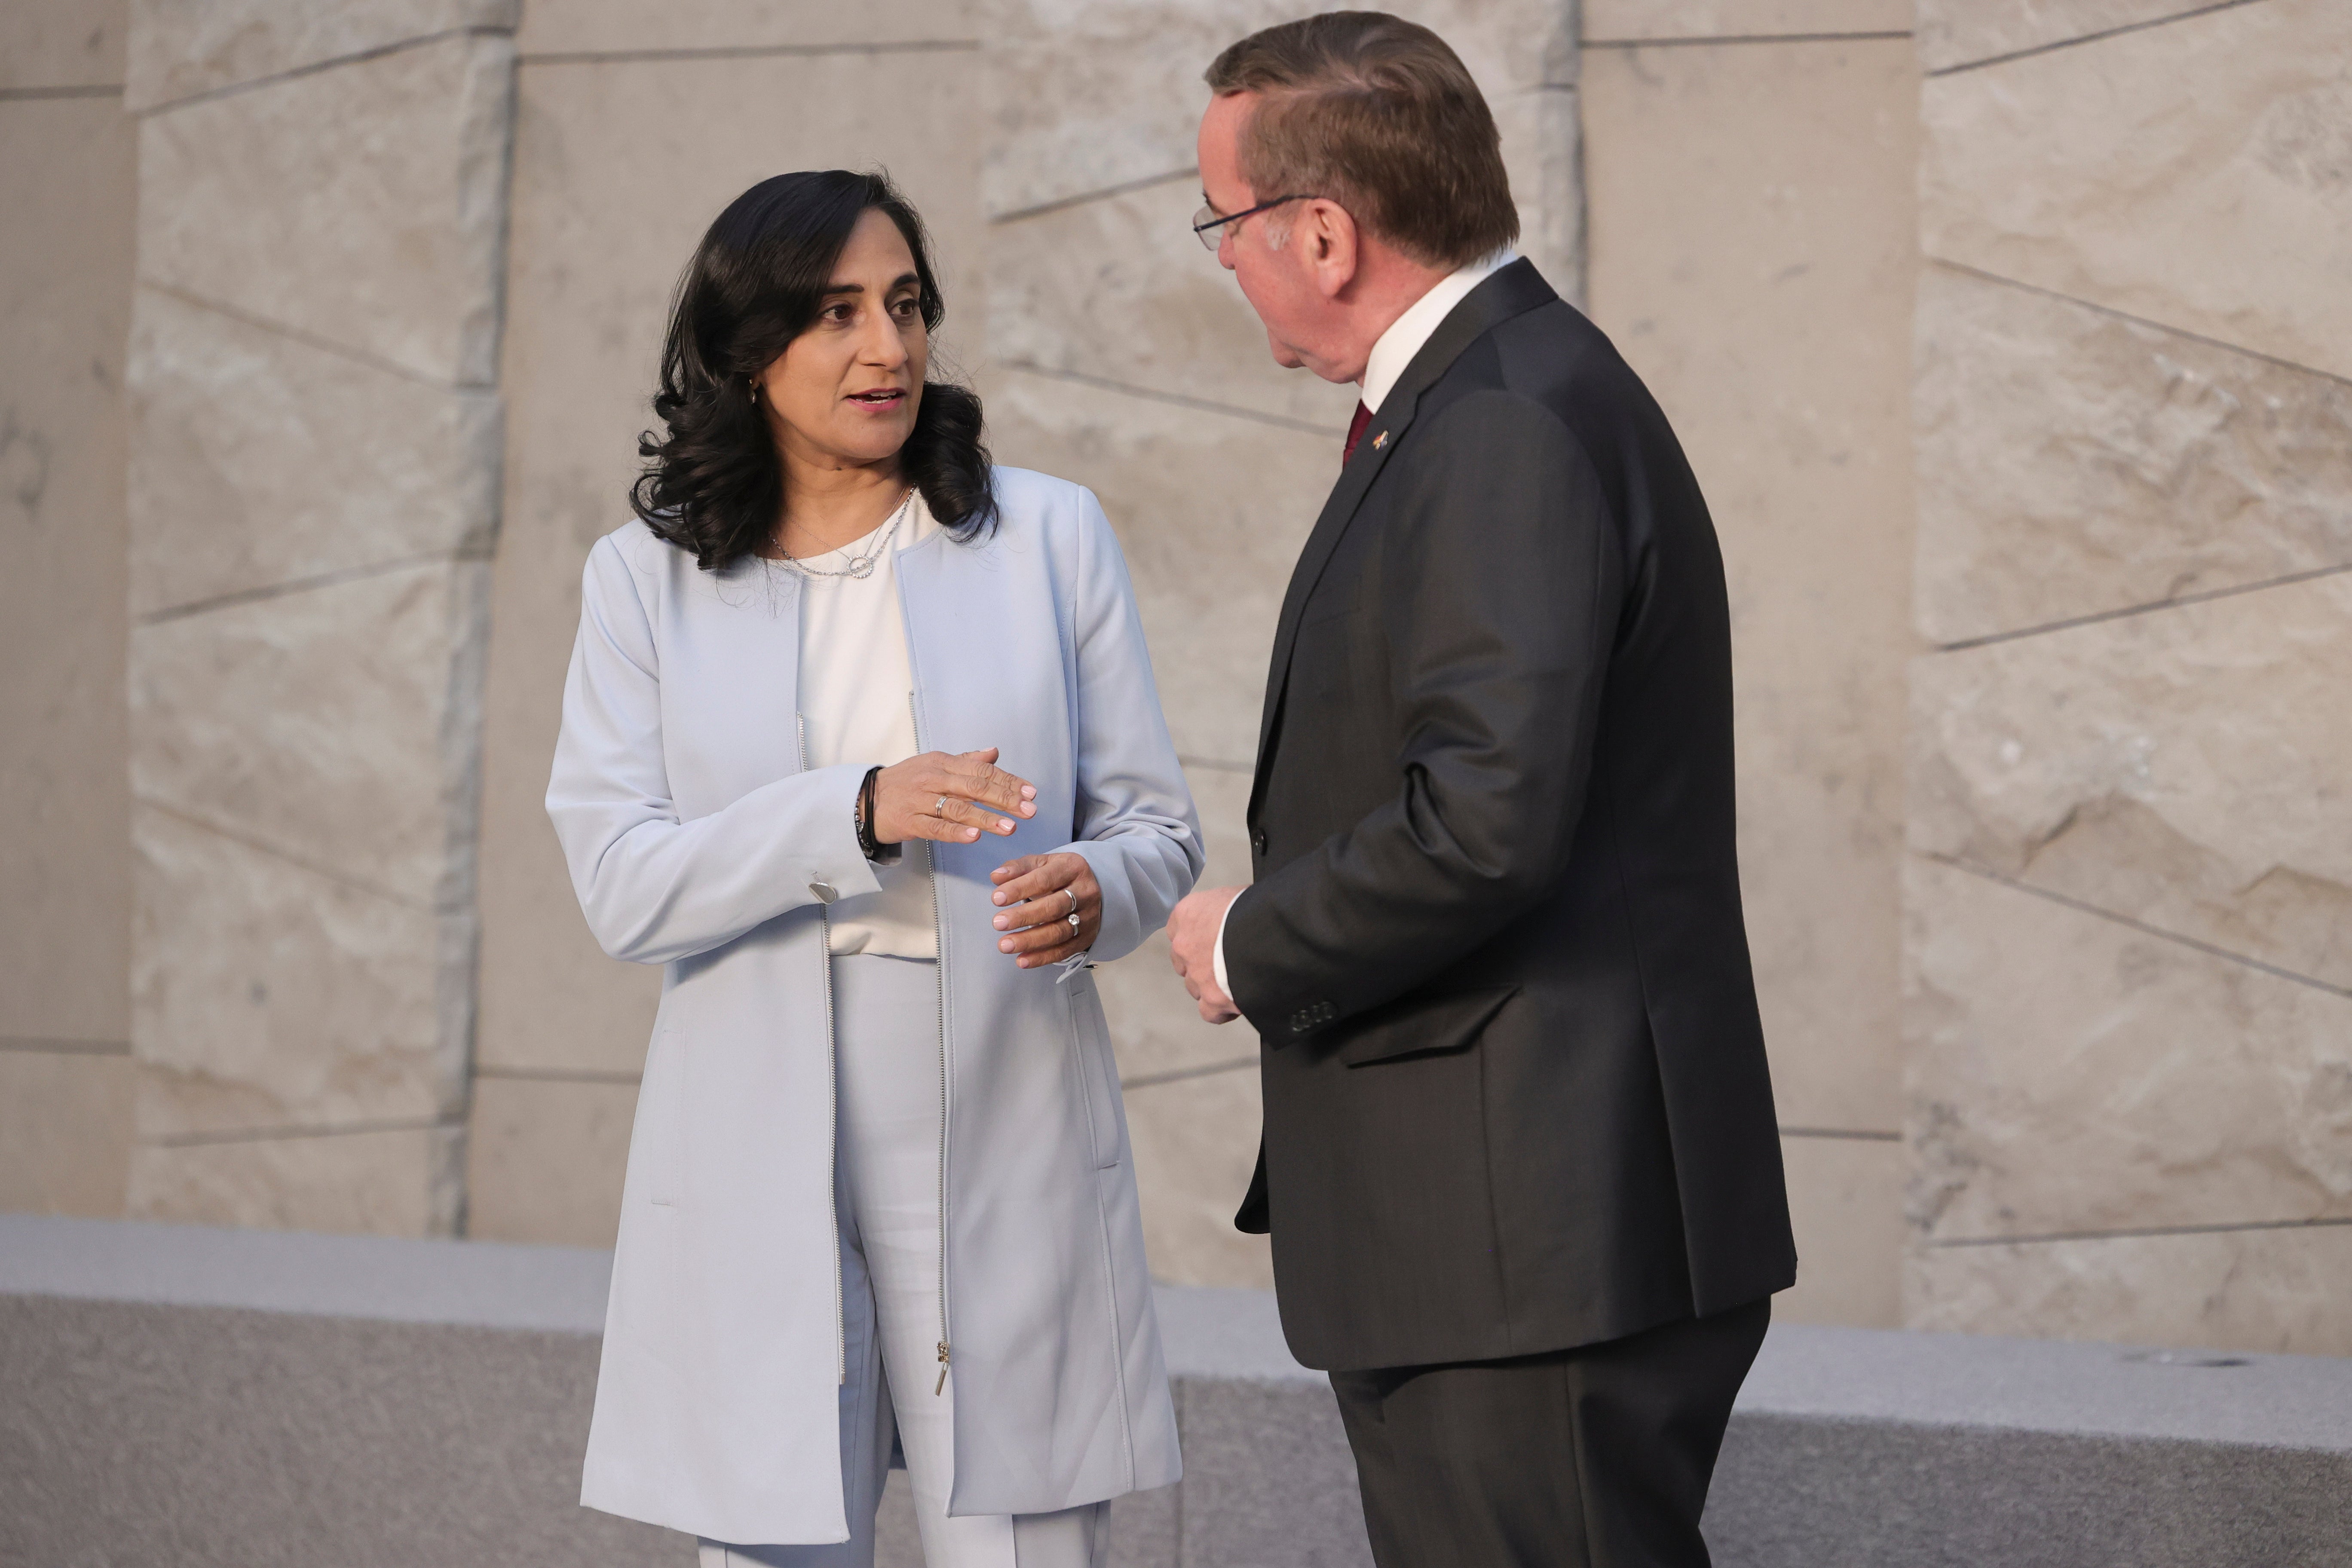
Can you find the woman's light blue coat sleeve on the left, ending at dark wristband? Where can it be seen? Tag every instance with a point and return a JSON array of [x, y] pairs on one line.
[[657, 887]]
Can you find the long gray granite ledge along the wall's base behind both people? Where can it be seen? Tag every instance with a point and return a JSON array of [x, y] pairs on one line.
[[187, 1398]]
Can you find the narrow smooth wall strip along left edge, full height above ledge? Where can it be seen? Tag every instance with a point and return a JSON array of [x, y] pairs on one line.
[[67, 177]]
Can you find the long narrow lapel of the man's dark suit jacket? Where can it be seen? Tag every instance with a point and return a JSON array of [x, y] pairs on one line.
[[1497, 300]]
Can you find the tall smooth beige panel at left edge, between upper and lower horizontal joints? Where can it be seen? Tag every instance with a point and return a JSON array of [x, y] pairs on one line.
[[67, 187]]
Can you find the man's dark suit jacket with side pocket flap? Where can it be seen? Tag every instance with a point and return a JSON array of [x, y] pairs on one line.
[[1516, 1090]]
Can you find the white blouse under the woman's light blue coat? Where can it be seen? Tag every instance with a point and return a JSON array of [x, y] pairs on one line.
[[857, 702]]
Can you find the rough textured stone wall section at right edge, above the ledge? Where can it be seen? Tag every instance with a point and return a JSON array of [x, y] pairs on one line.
[[2130, 885]]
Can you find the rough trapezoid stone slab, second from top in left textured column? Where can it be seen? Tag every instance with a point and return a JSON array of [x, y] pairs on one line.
[[361, 206]]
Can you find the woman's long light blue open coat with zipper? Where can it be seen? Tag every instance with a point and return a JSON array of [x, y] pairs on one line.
[[697, 840]]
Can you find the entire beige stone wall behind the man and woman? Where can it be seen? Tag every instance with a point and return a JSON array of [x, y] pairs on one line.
[[2010, 344]]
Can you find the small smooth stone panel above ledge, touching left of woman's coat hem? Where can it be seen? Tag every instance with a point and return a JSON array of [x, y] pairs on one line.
[[544, 1160]]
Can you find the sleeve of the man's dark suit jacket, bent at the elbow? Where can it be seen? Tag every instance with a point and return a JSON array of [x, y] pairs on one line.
[[1499, 589]]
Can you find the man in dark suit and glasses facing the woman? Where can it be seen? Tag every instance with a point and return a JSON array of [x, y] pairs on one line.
[[1521, 1160]]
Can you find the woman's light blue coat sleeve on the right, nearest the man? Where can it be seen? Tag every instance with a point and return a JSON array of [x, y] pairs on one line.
[[1137, 826]]
